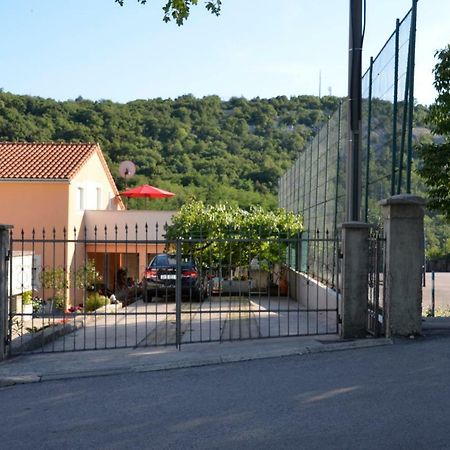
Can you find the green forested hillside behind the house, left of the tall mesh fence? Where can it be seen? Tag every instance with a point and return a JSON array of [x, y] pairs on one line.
[[205, 148]]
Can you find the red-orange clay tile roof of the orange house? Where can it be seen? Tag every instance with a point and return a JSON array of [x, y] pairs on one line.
[[51, 161]]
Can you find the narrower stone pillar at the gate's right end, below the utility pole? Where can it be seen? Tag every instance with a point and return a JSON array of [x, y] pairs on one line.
[[355, 266]]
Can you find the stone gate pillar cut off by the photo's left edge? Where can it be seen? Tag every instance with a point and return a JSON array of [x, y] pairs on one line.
[[4, 257]]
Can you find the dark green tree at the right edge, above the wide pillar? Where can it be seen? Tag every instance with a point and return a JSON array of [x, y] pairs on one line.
[[435, 167]]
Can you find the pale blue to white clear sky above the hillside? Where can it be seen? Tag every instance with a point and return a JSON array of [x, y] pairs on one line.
[[255, 48]]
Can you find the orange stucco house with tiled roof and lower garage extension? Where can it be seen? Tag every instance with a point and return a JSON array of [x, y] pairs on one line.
[[55, 195]]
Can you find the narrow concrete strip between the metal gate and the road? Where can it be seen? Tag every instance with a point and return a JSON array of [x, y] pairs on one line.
[[317, 347]]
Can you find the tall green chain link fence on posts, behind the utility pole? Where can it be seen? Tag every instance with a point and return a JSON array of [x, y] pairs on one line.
[[315, 185]]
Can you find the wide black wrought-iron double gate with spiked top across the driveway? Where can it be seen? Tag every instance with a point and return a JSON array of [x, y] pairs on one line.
[[102, 289]]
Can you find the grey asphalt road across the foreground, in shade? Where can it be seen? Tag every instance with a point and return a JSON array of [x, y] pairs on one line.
[[392, 397]]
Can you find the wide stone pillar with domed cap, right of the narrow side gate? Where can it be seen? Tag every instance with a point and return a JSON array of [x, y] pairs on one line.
[[403, 225]]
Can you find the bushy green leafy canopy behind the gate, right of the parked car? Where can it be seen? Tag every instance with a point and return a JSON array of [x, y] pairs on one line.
[[226, 235]]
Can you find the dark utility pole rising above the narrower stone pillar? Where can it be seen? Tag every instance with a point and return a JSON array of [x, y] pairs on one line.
[[353, 187]]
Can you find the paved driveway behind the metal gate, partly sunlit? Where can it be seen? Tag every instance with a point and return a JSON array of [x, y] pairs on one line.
[[216, 319]]
